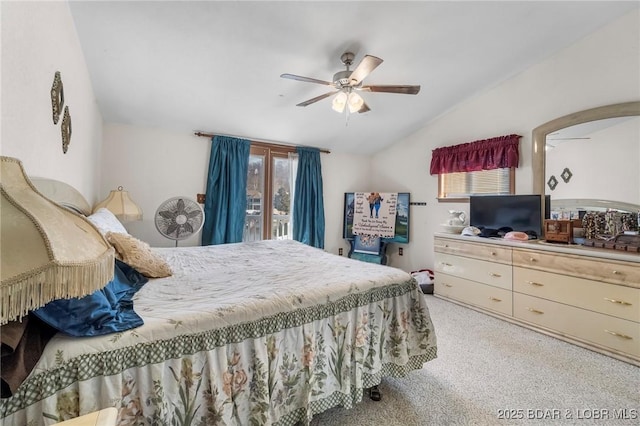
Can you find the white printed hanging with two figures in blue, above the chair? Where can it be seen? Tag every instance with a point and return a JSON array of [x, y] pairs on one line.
[[374, 214]]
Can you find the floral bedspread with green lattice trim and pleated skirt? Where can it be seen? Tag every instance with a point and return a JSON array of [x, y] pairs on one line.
[[262, 333]]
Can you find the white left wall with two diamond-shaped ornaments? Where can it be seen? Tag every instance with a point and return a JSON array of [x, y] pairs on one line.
[[38, 39]]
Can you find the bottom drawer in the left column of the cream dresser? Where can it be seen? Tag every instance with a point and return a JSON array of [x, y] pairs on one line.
[[473, 293]]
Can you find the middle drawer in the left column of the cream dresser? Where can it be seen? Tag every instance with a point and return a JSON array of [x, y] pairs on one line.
[[495, 274]]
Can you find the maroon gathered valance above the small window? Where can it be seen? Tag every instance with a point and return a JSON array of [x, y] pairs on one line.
[[486, 154]]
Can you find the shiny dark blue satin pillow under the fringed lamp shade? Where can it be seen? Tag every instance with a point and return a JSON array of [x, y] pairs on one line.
[[109, 310]]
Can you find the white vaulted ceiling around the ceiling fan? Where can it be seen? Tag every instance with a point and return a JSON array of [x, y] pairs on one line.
[[215, 66]]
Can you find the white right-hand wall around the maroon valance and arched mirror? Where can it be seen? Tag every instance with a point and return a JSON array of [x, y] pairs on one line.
[[601, 69]]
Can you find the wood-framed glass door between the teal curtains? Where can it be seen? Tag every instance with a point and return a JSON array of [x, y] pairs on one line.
[[269, 192]]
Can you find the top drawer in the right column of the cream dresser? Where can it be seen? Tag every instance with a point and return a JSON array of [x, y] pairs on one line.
[[609, 271]]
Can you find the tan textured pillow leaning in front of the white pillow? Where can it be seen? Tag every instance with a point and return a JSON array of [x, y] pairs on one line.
[[138, 254]]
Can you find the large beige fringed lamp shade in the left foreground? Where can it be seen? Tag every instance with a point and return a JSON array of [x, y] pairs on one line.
[[46, 251]]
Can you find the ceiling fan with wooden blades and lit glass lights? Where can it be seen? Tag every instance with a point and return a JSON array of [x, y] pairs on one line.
[[347, 83]]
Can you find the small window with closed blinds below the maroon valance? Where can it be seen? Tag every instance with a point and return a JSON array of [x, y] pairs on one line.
[[461, 185]]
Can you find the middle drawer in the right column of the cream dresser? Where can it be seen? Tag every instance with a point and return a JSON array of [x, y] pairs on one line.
[[616, 300]]
